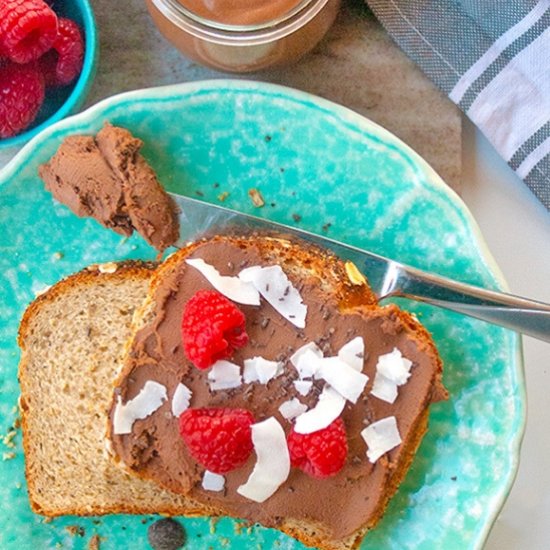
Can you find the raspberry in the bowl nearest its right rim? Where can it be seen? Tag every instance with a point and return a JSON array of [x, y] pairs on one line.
[[63, 63]]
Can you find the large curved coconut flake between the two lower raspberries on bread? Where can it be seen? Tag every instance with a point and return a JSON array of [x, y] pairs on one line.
[[272, 461]]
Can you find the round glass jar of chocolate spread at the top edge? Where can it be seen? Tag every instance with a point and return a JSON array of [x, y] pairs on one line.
[[238, 47]]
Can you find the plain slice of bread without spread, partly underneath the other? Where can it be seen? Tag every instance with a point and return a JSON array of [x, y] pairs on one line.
[[72, 339]]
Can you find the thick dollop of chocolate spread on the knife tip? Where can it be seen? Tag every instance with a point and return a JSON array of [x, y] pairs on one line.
[[106, 178]]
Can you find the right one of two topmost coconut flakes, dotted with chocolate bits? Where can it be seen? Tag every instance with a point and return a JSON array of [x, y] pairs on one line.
[[273, 284]]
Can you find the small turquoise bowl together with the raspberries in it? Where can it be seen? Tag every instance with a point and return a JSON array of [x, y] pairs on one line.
[[48, 54]]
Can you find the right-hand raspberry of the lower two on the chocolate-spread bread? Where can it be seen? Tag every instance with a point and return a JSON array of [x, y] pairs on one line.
[[320, 454]]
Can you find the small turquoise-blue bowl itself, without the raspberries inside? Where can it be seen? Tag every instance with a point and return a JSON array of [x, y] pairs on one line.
[[65, 100]]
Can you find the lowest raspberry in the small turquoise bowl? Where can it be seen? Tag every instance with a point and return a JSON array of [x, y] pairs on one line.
[[22, 95]]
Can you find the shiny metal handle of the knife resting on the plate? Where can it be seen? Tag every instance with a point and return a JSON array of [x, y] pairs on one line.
[[514, 312]]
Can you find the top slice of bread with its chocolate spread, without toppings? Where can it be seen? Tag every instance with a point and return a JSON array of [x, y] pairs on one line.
[[155, 354]]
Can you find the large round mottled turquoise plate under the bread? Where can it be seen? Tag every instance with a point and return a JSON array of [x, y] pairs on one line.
[[344, 176]]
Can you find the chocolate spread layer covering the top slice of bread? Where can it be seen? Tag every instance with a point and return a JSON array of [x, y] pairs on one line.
[[344, 502]]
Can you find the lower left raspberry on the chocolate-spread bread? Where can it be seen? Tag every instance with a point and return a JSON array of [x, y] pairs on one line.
[[219, 439]]
